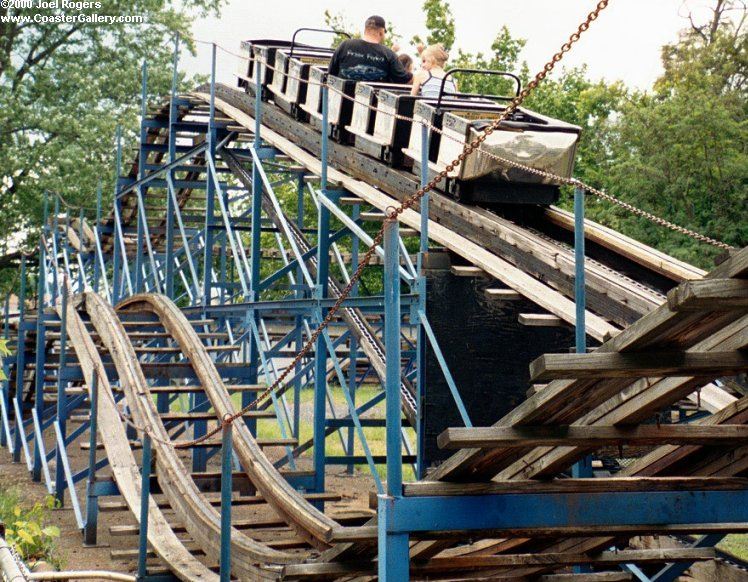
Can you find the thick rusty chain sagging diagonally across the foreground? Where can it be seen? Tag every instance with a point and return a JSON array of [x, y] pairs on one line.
[[395, 212]]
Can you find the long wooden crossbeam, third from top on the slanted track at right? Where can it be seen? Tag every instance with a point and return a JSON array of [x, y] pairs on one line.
[[591, 436]]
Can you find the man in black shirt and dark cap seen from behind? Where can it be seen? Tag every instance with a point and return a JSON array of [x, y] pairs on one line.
[[366, 59]]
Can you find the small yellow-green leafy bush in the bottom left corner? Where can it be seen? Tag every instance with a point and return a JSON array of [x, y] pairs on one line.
[[25, 528]]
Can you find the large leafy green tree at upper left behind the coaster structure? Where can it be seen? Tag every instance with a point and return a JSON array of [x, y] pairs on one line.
[[63, 89]]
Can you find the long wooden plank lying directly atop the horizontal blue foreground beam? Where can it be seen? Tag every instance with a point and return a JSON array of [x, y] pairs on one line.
[[592, 485]]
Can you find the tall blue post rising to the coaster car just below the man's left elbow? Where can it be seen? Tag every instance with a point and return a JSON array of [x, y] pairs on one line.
[[320, 348]]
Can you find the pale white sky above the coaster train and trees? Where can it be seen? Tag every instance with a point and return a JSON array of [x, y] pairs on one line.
[[623, 44]]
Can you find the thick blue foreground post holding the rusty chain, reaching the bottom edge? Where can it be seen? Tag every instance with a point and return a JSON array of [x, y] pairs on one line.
[[393, 547]]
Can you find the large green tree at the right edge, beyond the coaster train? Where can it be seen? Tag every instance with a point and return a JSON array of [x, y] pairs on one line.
[[680, 151]]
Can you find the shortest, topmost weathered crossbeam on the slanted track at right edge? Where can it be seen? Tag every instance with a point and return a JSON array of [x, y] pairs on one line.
[[709, 295]]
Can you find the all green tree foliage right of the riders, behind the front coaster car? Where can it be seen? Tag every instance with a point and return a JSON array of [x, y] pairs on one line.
[[678, 150]]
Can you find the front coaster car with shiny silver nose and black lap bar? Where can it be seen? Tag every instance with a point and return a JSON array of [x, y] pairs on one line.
[[526, 137]]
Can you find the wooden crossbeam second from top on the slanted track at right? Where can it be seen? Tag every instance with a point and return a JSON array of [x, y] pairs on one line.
[[638, 365]]
